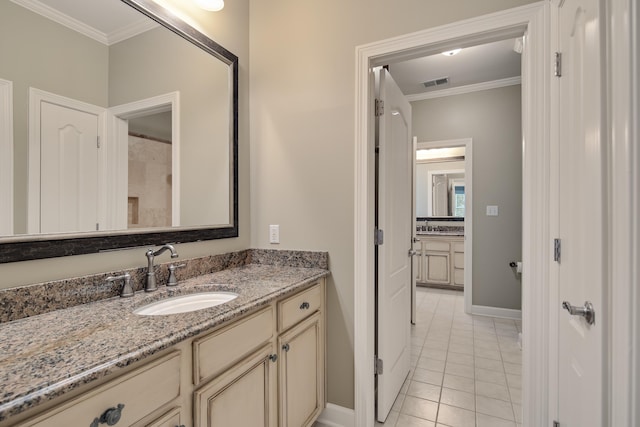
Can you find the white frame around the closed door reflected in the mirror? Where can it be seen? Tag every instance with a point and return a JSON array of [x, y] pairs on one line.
[[36, 97]]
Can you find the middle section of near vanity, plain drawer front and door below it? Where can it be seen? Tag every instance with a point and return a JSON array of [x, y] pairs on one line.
[[235, 374]]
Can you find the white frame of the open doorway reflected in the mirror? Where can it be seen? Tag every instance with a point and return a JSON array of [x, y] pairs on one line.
[[119, 150]]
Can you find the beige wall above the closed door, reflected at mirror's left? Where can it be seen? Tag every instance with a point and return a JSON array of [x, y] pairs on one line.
[[37, 52]]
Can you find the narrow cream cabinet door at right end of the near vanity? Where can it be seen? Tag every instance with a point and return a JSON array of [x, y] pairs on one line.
[[301, 376]]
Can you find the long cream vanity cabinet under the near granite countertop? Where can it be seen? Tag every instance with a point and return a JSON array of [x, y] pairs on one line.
[[266, 368]]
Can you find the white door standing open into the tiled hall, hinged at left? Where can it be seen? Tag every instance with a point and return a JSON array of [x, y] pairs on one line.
[[395, 218]]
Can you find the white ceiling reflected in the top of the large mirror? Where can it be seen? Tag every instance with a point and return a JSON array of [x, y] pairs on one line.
[[107, 21]]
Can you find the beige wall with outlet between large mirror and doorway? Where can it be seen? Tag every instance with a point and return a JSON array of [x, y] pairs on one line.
[[302, 133]]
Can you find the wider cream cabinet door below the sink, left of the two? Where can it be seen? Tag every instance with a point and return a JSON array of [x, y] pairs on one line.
[[243, 396]]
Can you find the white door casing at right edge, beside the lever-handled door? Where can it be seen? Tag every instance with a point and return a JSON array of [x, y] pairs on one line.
[[623, 106]]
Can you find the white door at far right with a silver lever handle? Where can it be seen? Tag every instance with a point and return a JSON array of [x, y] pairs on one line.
[[582, 215]]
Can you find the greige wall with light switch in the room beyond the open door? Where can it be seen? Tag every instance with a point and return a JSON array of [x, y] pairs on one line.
[[492, 118]]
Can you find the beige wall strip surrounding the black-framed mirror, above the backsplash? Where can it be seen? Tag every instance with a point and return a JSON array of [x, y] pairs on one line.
[[230, 28]]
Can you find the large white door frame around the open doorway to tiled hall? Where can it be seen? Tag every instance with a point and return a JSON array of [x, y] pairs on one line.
[[534, 20]]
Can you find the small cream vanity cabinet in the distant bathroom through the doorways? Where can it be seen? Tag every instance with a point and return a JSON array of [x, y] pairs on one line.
[[441, 260]]
